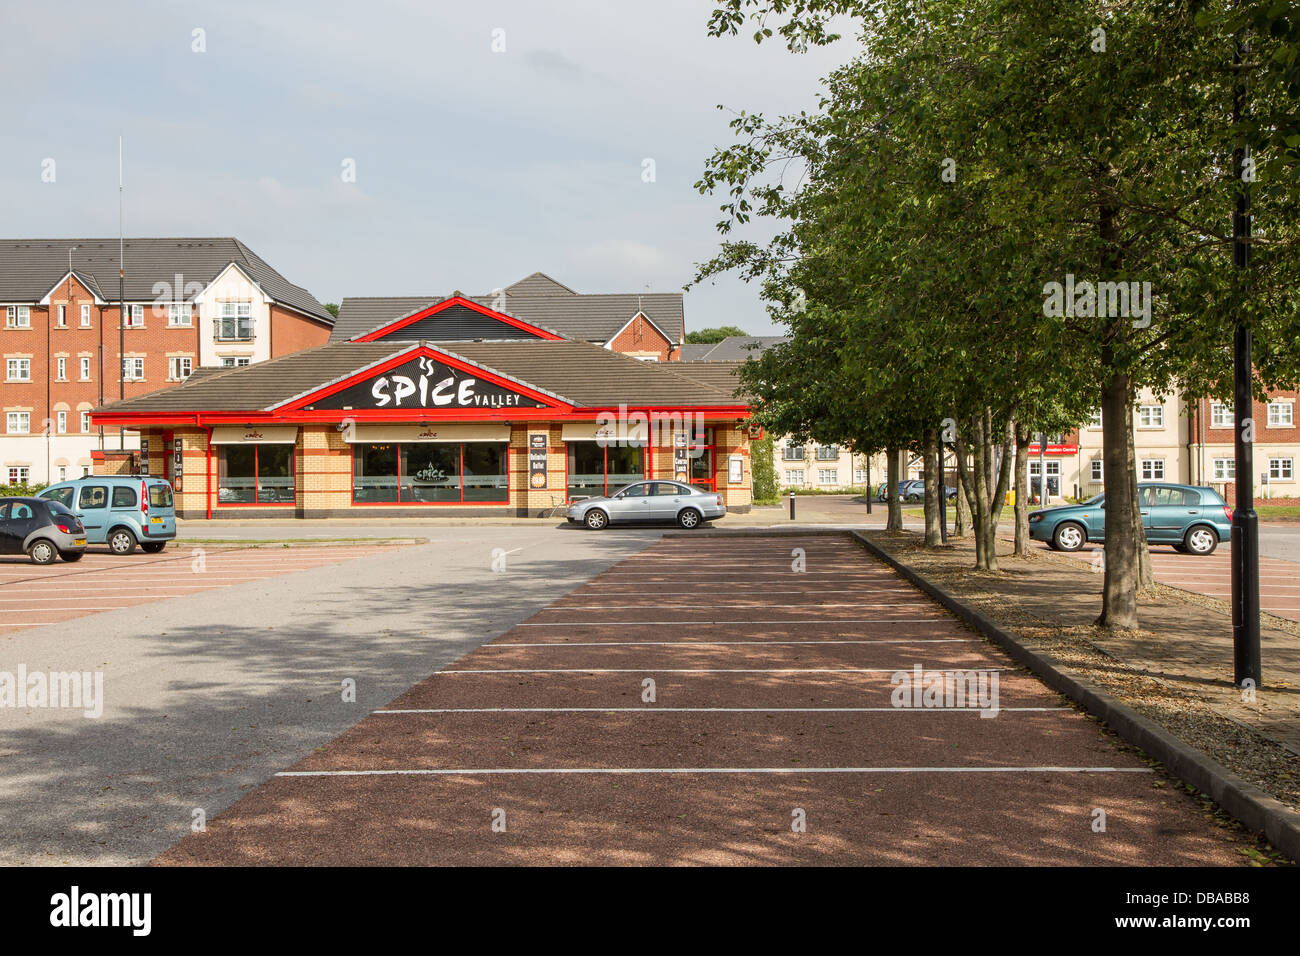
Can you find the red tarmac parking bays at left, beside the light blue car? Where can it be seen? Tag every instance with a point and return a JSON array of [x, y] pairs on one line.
[[34, 595]]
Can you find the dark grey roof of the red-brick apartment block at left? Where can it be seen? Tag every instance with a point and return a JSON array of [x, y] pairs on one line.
[[29, 269]]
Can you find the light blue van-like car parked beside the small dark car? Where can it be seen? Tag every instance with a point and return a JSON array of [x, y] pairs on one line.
[[120, 511]]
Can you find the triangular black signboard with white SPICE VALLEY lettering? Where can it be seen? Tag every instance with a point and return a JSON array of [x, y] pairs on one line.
[[424, 383]]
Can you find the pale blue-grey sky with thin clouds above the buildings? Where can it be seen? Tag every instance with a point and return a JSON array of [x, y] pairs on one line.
[[474, 167]]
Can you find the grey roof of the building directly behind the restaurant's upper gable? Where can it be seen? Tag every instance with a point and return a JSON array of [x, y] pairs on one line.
[[538, 300]]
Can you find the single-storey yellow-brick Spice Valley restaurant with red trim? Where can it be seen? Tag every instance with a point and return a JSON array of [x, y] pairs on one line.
[[454, 409]]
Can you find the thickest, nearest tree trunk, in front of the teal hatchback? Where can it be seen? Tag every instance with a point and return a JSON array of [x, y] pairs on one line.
[[1124, 522]]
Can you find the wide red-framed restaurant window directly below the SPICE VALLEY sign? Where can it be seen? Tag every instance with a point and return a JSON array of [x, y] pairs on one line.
[[430, 473]]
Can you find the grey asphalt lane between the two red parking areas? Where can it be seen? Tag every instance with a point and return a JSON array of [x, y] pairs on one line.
[[209, 695]]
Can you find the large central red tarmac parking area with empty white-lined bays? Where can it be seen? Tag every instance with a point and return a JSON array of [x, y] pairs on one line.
[[670, 712]]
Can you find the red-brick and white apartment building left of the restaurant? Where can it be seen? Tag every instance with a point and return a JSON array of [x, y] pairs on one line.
[[189, 302]]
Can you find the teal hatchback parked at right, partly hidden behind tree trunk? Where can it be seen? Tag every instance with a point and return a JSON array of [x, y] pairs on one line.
[[1191, 518]]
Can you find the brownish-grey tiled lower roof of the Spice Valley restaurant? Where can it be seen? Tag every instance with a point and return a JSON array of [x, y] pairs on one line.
[[582, 374]]
